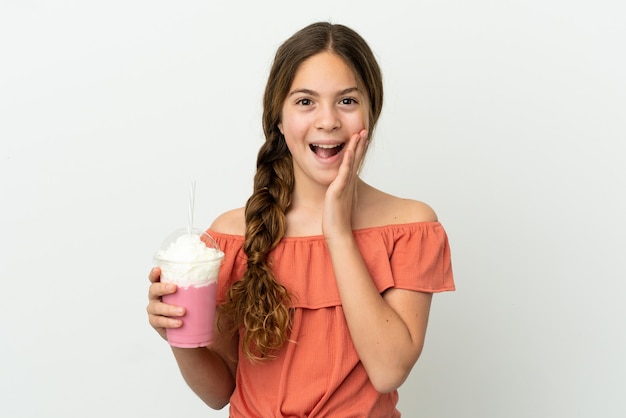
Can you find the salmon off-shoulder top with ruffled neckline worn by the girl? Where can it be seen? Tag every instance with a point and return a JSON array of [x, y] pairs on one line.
[[318, 372]]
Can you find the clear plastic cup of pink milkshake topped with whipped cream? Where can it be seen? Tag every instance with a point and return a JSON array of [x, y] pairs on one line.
[[191, 259]]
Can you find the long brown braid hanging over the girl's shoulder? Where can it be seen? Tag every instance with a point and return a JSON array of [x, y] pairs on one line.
[[257, 302]]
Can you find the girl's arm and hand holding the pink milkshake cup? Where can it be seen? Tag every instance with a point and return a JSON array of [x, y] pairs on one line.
[[209, 372]]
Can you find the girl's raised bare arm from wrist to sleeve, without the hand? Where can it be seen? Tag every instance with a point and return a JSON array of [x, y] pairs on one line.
[[387, 331]]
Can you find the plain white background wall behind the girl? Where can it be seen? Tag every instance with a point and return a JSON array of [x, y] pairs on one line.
[[508, 117]]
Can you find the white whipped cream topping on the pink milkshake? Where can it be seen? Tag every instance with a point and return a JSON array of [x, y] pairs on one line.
[[187, 261]]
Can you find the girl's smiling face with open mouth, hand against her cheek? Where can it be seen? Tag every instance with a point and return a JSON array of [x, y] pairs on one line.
[[324, 107]]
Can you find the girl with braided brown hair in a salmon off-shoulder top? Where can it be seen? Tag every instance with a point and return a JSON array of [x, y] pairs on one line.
[[326, 286]]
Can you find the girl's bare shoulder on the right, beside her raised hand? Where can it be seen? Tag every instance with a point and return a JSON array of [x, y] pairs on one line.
[[380, 208]]
